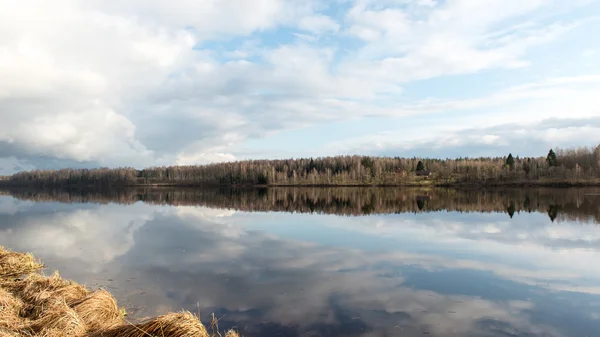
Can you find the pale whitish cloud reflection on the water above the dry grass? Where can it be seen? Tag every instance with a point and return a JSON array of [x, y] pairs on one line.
[[96, 235]]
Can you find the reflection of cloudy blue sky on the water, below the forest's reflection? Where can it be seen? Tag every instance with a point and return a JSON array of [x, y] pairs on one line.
[[268, 282]]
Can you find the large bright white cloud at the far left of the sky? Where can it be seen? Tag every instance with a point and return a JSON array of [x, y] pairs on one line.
[[73, 70]]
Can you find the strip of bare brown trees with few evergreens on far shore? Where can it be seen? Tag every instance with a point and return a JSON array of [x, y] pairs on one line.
[[577, 166]]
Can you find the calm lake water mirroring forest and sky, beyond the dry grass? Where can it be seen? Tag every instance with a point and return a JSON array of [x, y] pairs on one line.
[[330, 262]]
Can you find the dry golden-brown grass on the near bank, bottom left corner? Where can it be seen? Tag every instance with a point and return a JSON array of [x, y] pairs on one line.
[[35, 305]]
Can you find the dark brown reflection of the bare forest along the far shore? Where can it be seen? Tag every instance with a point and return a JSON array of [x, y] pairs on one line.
[[572, 204]]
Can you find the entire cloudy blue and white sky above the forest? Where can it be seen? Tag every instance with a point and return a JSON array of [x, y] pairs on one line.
[[148, 83]]
